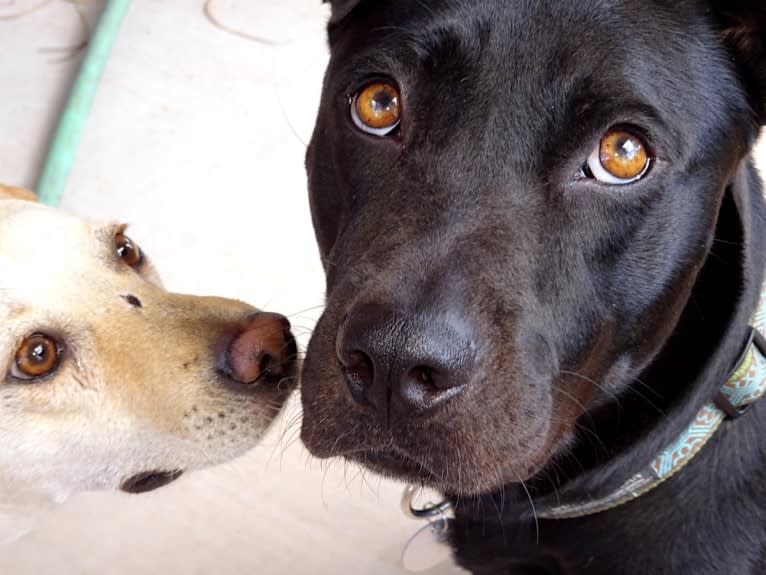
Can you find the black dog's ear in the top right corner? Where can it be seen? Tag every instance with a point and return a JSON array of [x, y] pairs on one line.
[[743, 25]]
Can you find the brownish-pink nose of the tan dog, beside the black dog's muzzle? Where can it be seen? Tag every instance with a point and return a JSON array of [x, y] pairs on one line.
[[260, 347]]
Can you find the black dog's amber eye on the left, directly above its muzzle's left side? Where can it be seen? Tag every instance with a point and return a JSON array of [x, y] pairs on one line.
[[376, 109]]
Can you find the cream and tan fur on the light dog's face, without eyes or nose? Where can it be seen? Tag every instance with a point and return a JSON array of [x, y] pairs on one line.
[[137, 389]]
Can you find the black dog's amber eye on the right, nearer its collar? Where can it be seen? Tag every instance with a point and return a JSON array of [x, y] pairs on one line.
[[620, 158]]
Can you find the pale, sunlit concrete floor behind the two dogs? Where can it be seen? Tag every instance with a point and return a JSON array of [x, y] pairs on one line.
[[197, 138]]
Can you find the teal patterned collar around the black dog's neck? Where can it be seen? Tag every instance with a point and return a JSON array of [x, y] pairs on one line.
[[745, 385]]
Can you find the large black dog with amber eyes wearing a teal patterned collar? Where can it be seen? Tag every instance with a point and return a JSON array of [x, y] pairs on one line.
[[544, 240]]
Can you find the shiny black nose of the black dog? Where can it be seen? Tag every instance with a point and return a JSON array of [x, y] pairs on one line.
[[404, 363]]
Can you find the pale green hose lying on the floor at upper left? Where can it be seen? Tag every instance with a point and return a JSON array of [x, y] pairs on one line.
[[66, 138]]
